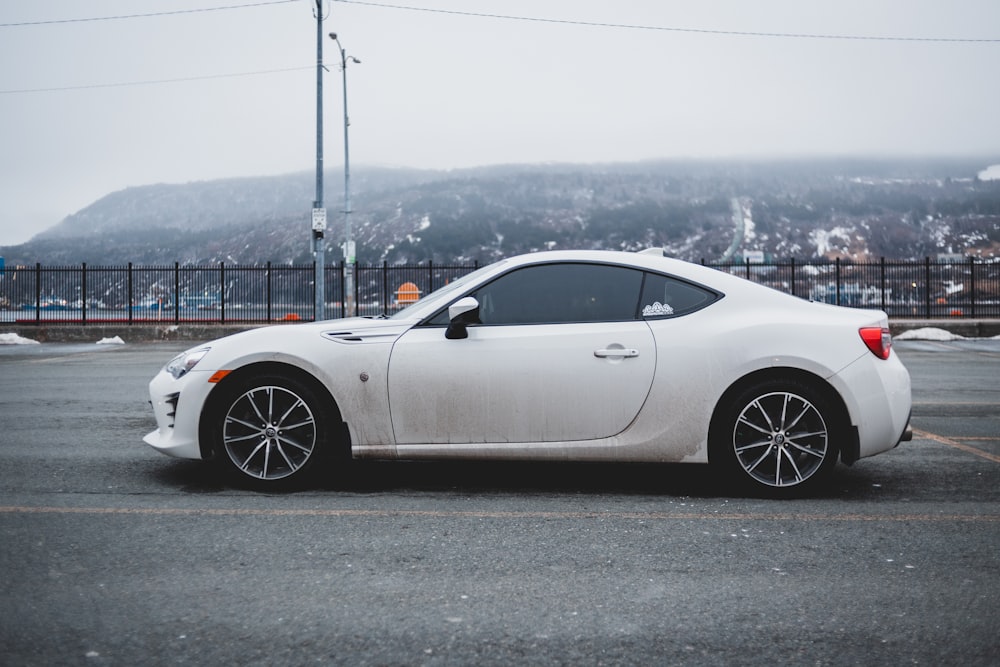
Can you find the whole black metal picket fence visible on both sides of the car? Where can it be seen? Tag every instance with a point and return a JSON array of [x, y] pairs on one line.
[[270, 293]]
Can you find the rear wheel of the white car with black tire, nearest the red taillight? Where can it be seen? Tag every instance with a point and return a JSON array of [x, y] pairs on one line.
[[776, 437]]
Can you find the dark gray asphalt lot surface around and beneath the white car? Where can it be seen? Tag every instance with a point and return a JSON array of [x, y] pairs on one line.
[[111, 554]]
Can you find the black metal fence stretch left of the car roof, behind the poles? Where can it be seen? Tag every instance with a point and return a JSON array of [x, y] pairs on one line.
[[221, 293]]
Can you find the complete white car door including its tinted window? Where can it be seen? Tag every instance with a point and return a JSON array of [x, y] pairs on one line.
[[559, 355]]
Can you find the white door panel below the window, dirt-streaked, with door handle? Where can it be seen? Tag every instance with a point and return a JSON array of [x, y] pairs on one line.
[[473, 391]]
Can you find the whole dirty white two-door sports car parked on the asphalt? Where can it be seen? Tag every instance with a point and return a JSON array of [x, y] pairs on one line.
[[569, 355]]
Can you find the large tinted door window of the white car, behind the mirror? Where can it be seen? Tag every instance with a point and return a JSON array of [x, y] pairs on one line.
[[560, 293]]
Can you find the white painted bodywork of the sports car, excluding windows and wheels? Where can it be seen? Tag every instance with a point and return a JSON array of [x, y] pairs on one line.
[[539, 391]]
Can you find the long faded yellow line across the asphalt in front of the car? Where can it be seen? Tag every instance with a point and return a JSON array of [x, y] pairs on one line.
[[499, 514]]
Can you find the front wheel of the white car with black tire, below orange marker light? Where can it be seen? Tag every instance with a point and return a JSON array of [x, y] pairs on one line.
[[271, 432]]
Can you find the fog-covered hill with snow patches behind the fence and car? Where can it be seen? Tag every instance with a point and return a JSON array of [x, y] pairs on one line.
[[809, 210]]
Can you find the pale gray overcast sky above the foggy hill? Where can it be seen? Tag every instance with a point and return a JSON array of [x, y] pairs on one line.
[[231, 91]]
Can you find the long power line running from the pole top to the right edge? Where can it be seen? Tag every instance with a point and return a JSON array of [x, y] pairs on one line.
[[703, 31]]
